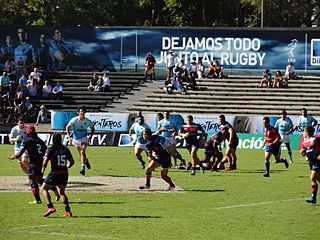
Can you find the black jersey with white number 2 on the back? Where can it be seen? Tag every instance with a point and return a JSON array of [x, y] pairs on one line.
[[36, 149]]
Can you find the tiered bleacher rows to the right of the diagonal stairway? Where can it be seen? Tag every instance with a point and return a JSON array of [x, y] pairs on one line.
[[237, 95]]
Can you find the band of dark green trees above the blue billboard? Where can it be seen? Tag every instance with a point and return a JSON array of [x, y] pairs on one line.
[[227, 13]]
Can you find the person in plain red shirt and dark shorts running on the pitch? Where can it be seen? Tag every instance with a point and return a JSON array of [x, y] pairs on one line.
[[272, 144]]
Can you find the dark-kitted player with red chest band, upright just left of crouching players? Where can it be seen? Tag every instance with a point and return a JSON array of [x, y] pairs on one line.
[[190, 133]]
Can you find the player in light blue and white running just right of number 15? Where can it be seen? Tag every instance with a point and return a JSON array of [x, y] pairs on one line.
[[79, 138]]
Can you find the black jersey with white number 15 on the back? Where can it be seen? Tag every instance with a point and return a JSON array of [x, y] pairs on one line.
[[58, 156]]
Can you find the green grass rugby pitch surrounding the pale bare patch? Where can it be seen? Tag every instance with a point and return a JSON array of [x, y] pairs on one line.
[[226, 205]]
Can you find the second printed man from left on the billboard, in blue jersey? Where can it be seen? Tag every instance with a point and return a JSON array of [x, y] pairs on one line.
[[24, 52]]
